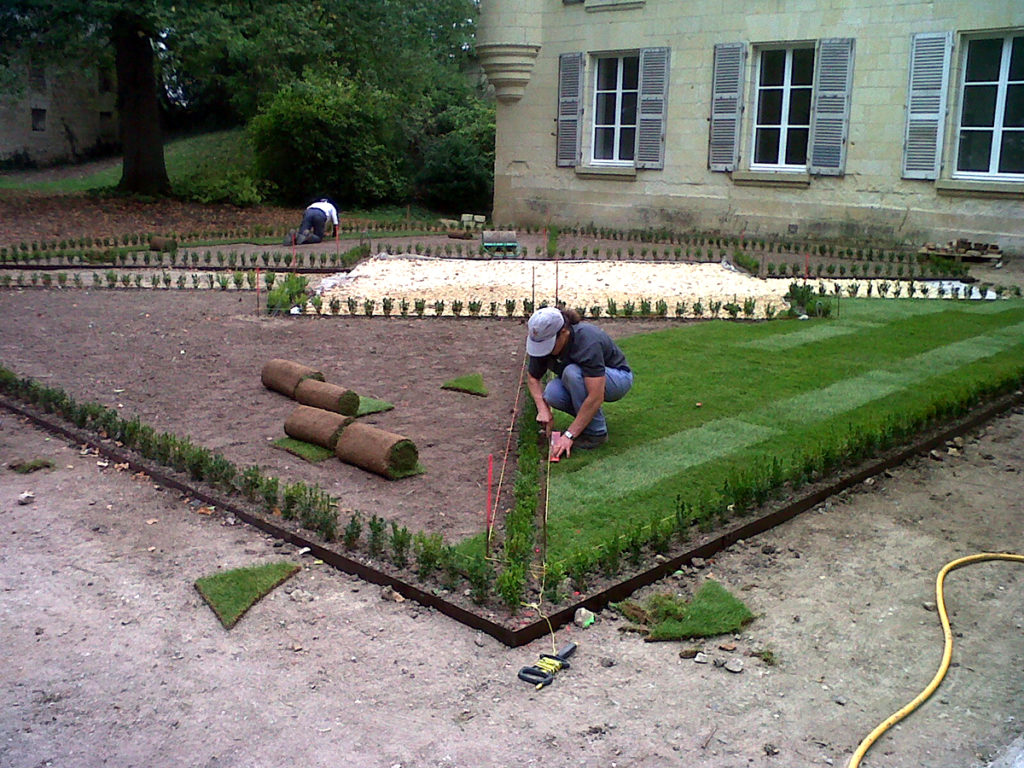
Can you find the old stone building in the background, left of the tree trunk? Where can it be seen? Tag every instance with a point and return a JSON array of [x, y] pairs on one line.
[[57, 115]]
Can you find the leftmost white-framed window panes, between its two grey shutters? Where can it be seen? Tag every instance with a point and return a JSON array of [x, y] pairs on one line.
[[617, 90]]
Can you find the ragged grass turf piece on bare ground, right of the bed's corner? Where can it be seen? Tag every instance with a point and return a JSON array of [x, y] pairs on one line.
[[714, 611]]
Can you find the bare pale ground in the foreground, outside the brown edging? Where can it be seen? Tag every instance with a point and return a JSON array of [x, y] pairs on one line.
[[112, 658]]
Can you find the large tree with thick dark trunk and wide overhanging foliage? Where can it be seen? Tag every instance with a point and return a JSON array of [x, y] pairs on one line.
[[231, 55]]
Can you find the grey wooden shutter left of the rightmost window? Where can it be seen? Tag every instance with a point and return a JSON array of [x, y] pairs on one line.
[[926, 104]]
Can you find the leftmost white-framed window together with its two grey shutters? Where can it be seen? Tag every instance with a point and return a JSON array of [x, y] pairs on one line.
[[628, 103]]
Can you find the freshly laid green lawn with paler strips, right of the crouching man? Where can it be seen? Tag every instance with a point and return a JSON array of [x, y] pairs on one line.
[[772, 396]]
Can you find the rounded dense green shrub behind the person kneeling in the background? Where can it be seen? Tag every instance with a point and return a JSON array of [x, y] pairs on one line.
[[333, 137]]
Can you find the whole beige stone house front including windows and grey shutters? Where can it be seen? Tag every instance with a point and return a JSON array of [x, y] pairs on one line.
[[899, 123]]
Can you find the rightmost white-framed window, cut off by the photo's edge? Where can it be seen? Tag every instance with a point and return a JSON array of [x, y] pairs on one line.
[[991, 134]]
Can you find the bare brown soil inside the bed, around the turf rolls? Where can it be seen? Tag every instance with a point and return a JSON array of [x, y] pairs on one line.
[[189, 363]]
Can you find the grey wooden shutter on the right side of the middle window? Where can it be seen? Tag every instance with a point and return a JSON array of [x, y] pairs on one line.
[[831, 114]]
